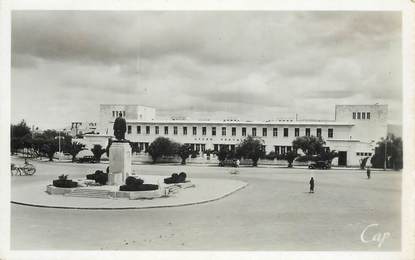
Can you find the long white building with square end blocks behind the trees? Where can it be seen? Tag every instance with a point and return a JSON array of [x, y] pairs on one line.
[[353, 133]]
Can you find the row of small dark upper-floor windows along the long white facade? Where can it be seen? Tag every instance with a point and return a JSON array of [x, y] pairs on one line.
[[307, 131]]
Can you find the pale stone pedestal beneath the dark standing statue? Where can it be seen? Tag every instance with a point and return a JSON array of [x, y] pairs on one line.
[[120, 163]]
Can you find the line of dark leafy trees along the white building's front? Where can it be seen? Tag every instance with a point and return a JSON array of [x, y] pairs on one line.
[[46, 144]]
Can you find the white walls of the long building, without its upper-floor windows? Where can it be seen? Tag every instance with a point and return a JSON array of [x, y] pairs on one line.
[[350, 135]]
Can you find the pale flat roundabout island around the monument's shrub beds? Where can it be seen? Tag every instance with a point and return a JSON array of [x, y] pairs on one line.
[[202, 191]]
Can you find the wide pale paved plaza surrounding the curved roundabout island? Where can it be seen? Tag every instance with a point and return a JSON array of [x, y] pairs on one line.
[[273, 212]]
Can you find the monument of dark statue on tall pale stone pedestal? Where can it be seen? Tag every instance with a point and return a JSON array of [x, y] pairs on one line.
[[119, 154]]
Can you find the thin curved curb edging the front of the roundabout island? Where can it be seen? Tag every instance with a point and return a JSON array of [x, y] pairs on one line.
[[128, 208]]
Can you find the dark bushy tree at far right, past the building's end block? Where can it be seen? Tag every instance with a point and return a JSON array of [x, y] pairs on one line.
[[394, 153]]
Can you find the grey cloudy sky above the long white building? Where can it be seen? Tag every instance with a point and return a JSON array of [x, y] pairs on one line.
[[247, 65]]
